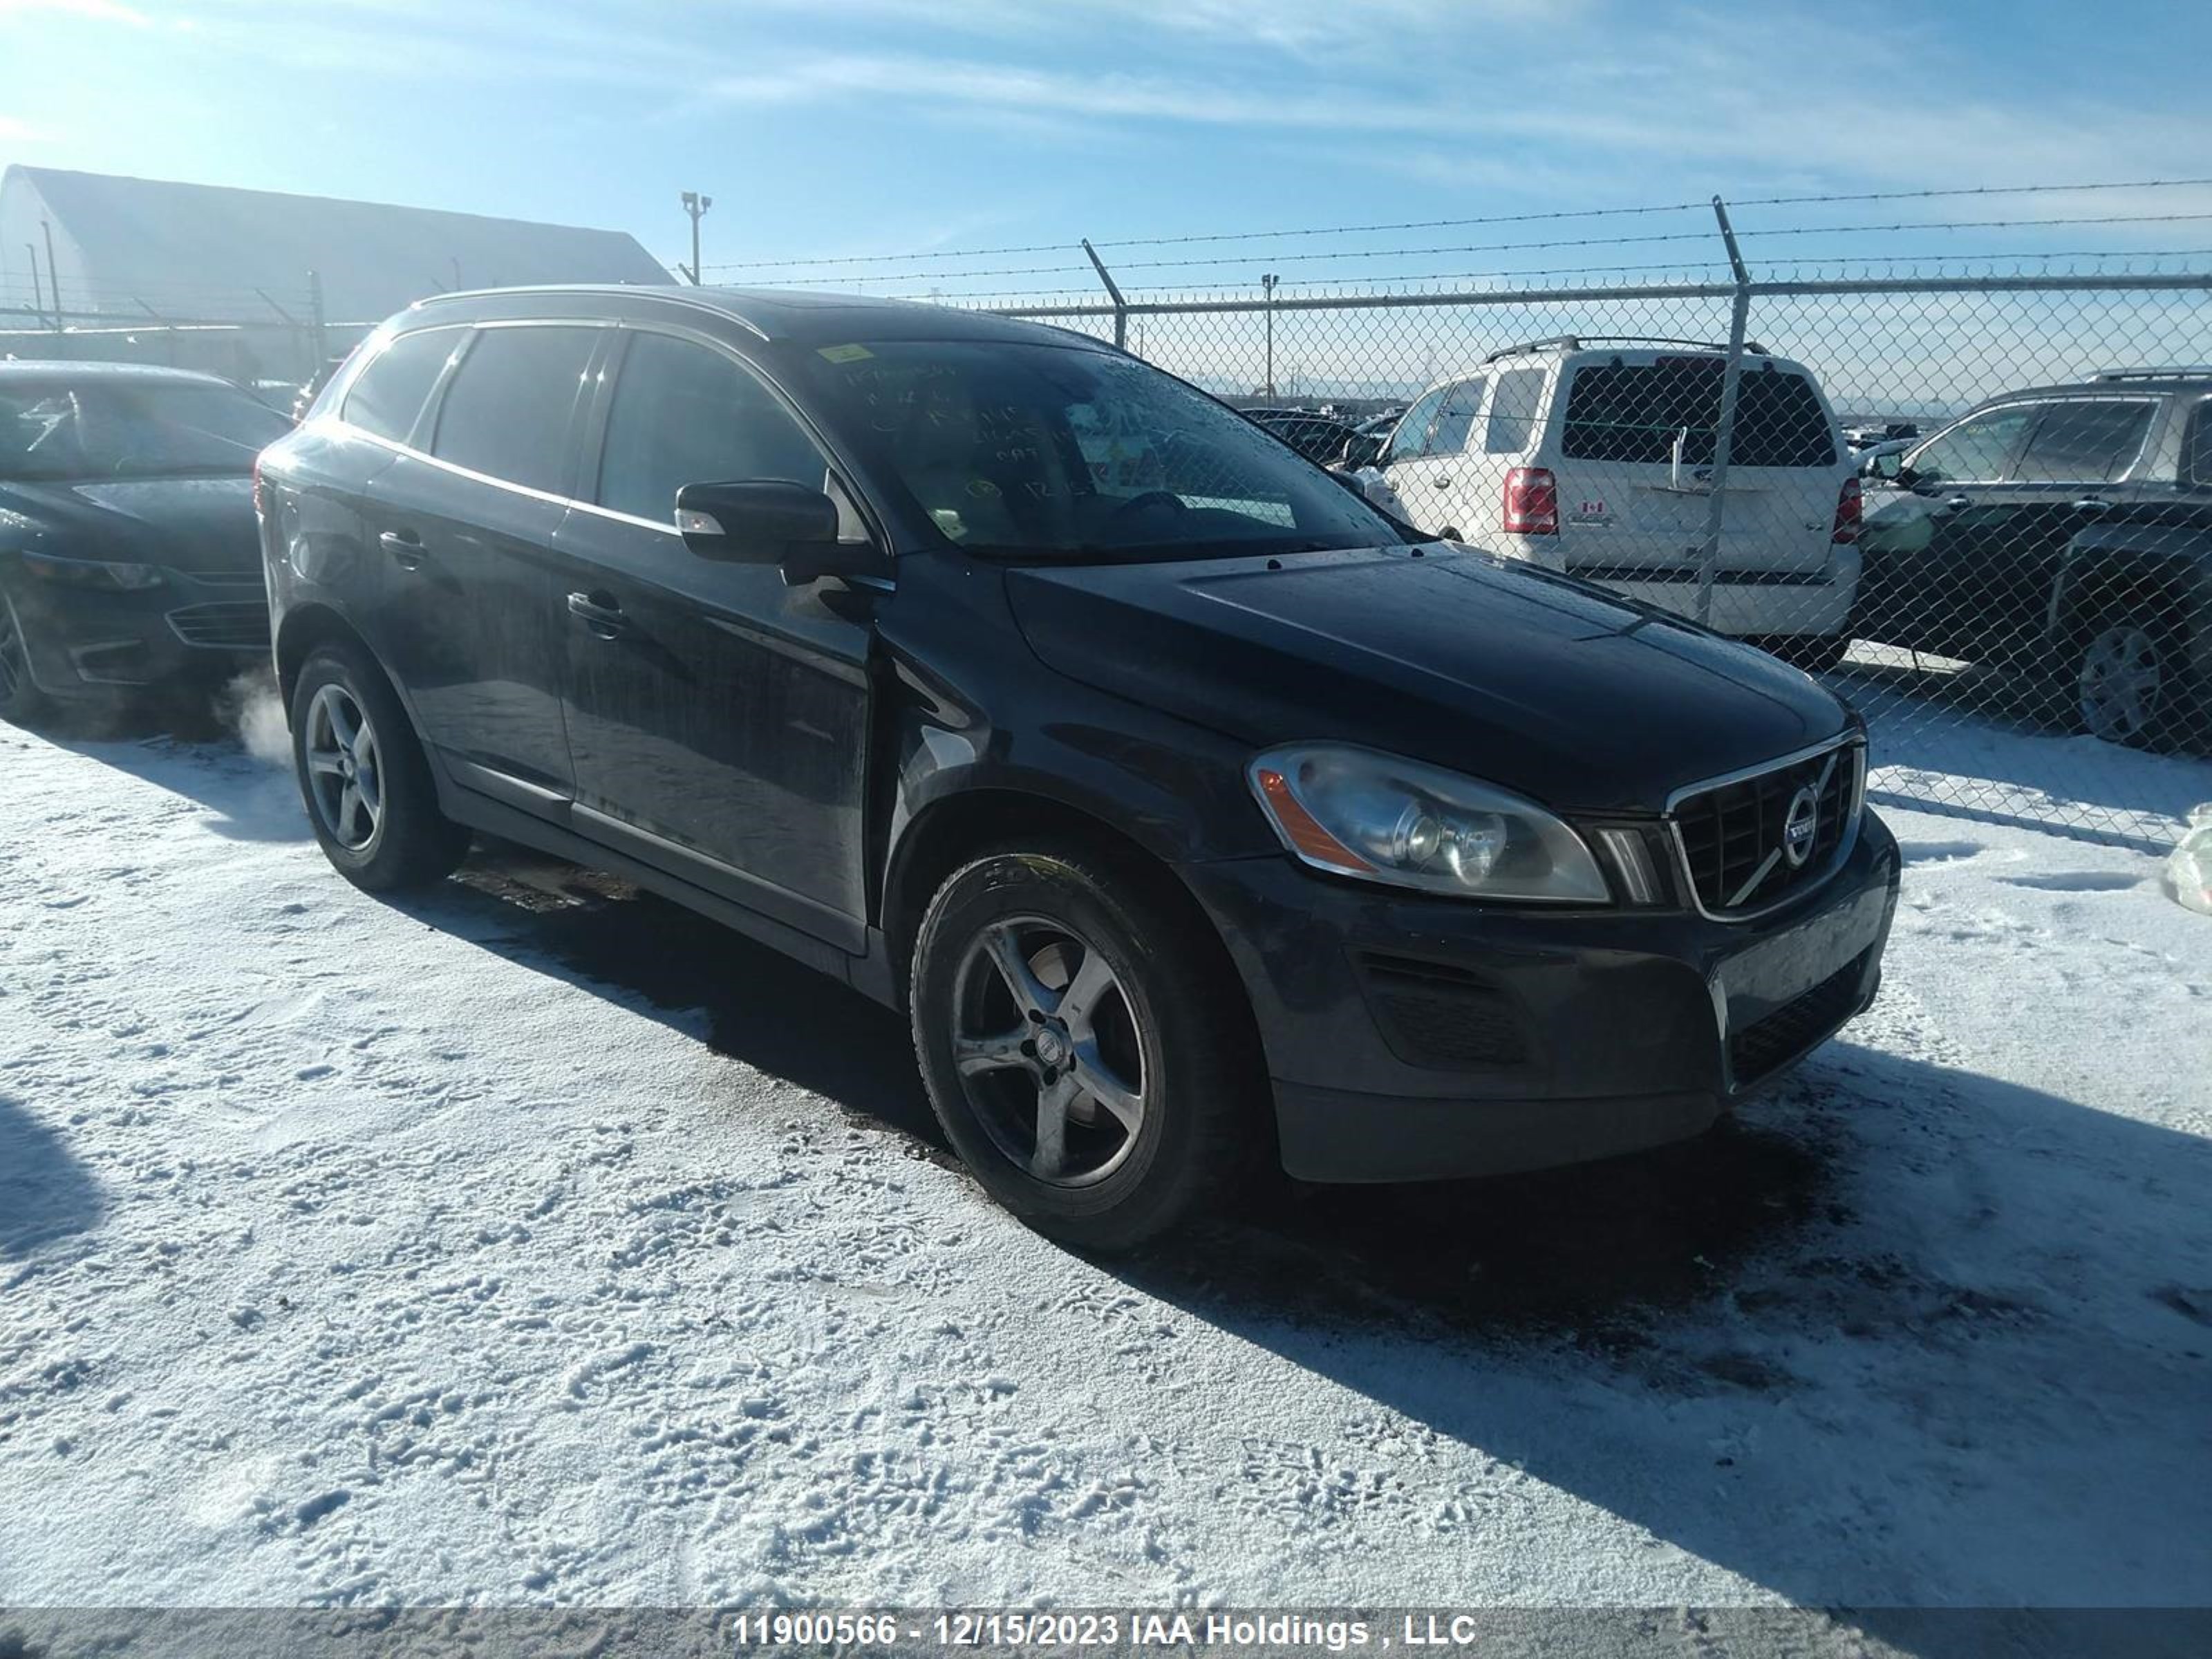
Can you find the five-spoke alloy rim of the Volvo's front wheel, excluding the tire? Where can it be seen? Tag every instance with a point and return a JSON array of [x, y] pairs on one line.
[[1050, 1050]]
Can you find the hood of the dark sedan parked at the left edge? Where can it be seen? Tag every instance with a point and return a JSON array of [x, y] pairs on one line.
[[180, 523]]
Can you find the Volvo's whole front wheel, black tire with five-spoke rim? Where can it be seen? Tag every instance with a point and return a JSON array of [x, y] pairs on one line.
[[1087, 1045]]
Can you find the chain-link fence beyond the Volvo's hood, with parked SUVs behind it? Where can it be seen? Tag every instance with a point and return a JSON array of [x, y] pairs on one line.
[[1979, 508]]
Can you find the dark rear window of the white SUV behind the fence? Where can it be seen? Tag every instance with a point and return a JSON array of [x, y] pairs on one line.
[[1634, 413]]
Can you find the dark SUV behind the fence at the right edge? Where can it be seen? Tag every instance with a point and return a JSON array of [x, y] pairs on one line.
[[2067, 534]]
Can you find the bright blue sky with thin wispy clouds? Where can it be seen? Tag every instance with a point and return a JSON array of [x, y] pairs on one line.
[[842, 127]]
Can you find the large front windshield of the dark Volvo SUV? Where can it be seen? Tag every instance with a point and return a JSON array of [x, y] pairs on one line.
[[1065, 455]]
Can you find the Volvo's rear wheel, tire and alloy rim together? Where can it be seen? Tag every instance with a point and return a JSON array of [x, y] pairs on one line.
[[366, 780]]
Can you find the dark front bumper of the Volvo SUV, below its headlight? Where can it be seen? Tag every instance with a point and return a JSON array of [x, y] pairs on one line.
[[1415, 1039]]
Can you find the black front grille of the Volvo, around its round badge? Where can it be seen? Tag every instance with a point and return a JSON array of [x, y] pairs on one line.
[[1733, 835]]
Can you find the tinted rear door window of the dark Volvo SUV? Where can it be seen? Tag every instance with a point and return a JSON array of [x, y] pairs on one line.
[[508, 410]]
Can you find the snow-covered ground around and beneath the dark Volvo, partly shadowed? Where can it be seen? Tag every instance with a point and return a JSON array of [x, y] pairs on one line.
[[534, 1242]]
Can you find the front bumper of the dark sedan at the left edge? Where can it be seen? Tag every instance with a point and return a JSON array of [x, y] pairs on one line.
[[87, 643]]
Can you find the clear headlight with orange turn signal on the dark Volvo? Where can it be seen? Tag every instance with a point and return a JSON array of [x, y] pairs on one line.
[[1357, 813]]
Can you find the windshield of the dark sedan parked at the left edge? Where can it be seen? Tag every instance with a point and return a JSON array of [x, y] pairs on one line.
[[121, 430]]
